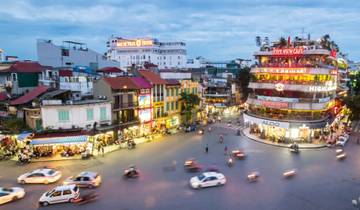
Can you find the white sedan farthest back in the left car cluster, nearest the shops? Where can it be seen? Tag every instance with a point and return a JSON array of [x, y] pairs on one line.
[[40, 176]]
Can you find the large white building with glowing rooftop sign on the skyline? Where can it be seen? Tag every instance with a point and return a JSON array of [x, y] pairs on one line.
[[137, 52]]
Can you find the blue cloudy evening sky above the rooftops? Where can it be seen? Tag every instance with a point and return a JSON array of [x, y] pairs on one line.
[[218, 30]]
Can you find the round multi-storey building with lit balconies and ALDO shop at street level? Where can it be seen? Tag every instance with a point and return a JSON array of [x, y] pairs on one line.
[[293, 91]]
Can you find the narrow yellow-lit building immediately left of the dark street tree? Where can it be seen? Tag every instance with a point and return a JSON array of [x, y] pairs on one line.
[[172, 103]]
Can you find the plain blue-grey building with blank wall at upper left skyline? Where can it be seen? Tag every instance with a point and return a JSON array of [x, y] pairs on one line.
[[71, 54]]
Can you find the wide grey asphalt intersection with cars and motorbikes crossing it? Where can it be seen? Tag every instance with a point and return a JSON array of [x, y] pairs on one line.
[[322, 182]]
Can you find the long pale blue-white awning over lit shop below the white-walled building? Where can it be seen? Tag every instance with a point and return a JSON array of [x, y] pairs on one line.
[[60, 140]]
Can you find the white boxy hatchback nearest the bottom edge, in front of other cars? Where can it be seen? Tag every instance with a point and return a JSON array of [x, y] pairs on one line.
[[60, 194]]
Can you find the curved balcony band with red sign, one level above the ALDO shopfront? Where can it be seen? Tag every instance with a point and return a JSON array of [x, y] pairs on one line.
[[289, 105]]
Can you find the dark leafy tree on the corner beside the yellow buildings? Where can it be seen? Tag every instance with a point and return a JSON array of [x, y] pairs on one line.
[[189, 103]]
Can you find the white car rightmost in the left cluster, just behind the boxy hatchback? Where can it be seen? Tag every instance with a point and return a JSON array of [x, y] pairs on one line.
[[84, 179]]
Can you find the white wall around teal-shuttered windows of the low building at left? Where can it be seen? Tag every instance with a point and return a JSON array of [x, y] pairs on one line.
[[77, 115]]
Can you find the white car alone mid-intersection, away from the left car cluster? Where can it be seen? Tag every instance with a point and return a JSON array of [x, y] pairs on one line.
[[207, 179]]
